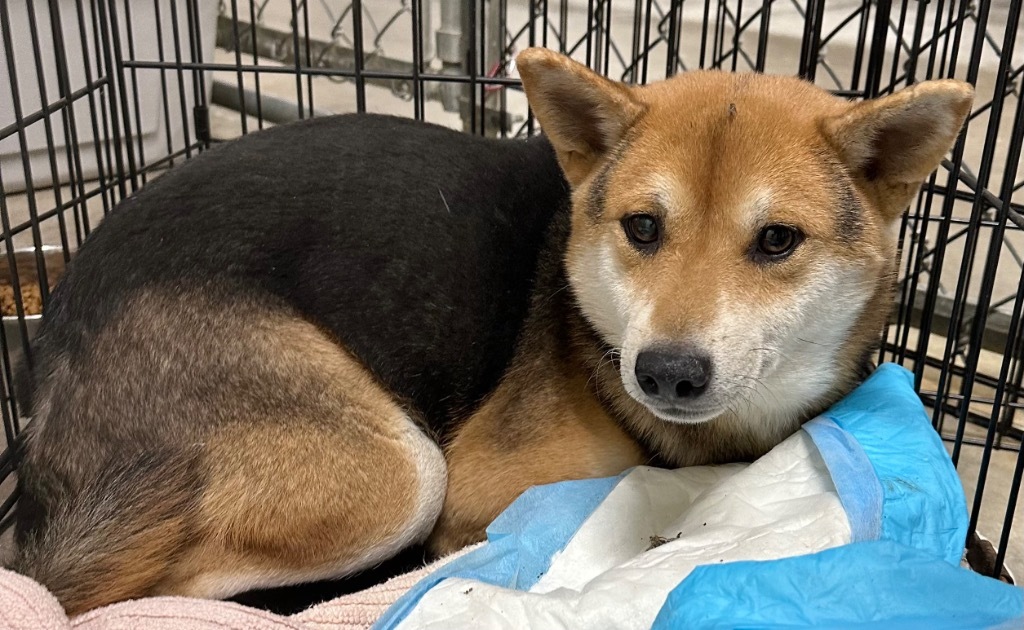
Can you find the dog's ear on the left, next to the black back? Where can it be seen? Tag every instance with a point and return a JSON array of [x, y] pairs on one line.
[[583, 114]]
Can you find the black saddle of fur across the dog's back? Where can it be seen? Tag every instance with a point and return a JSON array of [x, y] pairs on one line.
[[414, 245]]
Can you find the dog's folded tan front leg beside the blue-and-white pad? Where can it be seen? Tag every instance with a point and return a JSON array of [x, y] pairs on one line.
[[543, 427]]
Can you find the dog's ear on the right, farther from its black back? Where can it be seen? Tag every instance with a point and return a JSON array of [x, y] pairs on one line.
[[892, 145]]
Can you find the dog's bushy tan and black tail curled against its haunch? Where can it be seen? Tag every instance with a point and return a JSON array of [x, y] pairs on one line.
[[113, 540]]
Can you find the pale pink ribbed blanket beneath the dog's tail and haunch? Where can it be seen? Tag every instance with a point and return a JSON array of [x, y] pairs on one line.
[[26, 605]]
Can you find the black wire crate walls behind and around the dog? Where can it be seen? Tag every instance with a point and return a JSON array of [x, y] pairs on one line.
[[97, 97]]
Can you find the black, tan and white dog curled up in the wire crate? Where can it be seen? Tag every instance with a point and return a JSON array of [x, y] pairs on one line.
[[310, 349]]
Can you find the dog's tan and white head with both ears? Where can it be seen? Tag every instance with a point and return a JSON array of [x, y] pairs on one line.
[[735, 235]]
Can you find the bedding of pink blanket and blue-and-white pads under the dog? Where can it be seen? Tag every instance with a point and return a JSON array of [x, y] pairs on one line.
[[858, 521]]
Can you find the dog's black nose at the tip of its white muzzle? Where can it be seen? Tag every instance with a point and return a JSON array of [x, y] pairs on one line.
[[673, 375]]
